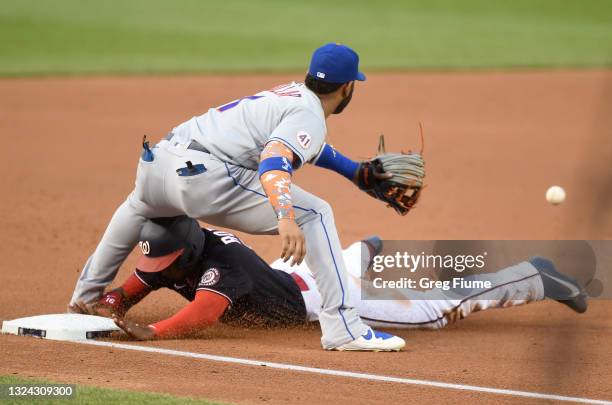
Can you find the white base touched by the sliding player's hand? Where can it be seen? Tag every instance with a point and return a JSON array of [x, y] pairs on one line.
[[61, 326]]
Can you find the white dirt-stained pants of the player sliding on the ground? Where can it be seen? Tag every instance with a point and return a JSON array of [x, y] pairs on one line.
[[516, 285]]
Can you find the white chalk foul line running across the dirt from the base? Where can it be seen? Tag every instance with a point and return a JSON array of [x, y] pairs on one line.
[[348, 374]]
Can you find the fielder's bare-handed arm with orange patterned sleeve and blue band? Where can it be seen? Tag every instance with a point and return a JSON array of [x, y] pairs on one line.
[[275, 170]]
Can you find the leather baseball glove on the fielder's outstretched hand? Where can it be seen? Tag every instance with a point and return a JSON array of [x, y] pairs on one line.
[[395, 178]]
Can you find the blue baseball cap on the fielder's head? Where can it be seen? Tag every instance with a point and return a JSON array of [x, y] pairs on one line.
[[335, 63]]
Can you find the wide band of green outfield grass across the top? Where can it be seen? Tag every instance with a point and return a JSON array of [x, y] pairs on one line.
[[40, 37]]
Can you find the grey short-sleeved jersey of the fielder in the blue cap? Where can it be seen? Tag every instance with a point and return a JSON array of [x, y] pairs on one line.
[[238, 131]]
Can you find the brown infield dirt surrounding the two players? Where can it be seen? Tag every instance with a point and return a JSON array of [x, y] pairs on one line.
[[494, 143]]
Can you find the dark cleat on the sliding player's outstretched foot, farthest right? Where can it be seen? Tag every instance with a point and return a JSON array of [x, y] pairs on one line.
[[560, 287]]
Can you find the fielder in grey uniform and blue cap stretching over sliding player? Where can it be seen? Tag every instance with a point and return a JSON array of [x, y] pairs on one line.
[[232, 167]]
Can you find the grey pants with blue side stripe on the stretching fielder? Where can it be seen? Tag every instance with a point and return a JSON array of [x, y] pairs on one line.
[[229, 196]]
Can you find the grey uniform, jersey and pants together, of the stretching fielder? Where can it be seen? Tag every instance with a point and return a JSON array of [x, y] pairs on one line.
[[218, 183]]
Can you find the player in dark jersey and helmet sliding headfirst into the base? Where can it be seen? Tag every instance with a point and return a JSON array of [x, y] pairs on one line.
[[226, 281]]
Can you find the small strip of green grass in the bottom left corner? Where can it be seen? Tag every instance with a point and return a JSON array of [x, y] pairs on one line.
[[94, 395]]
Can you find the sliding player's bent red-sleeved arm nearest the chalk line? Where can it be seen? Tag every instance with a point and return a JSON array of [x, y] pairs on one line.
[[204, 311]]
